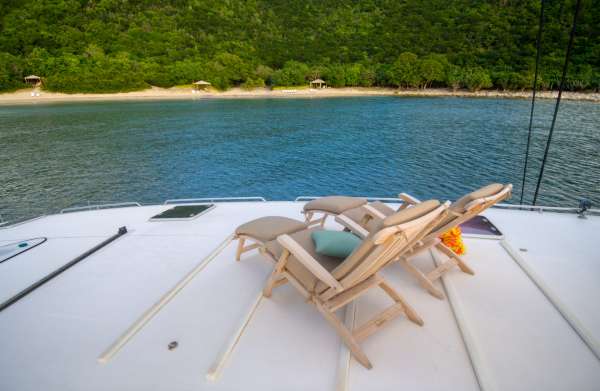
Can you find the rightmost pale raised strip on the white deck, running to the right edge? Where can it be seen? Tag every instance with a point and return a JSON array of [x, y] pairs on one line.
[[564, 311]]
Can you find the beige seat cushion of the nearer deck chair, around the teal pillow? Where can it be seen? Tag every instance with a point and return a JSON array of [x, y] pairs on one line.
[[297, 269]]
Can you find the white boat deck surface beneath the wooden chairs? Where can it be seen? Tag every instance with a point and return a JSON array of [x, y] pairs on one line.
[[495, 331]]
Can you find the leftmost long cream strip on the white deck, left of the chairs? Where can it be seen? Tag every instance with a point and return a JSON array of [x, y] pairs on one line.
[[164, 300]]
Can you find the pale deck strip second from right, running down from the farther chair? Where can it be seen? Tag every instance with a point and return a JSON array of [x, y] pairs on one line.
[[484, 380]]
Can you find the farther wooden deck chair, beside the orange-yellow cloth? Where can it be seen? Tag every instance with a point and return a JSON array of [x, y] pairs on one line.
[[459, 212]]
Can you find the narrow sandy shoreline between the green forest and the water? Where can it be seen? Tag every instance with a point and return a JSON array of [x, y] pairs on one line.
[[23, 96]]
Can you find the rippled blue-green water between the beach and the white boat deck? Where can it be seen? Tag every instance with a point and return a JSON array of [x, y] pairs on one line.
[[54, 156]]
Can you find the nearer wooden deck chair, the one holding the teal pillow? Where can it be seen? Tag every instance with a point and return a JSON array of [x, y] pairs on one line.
[[330, 283]]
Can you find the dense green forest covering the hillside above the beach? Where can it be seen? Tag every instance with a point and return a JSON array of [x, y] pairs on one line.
[[119, 45]]
